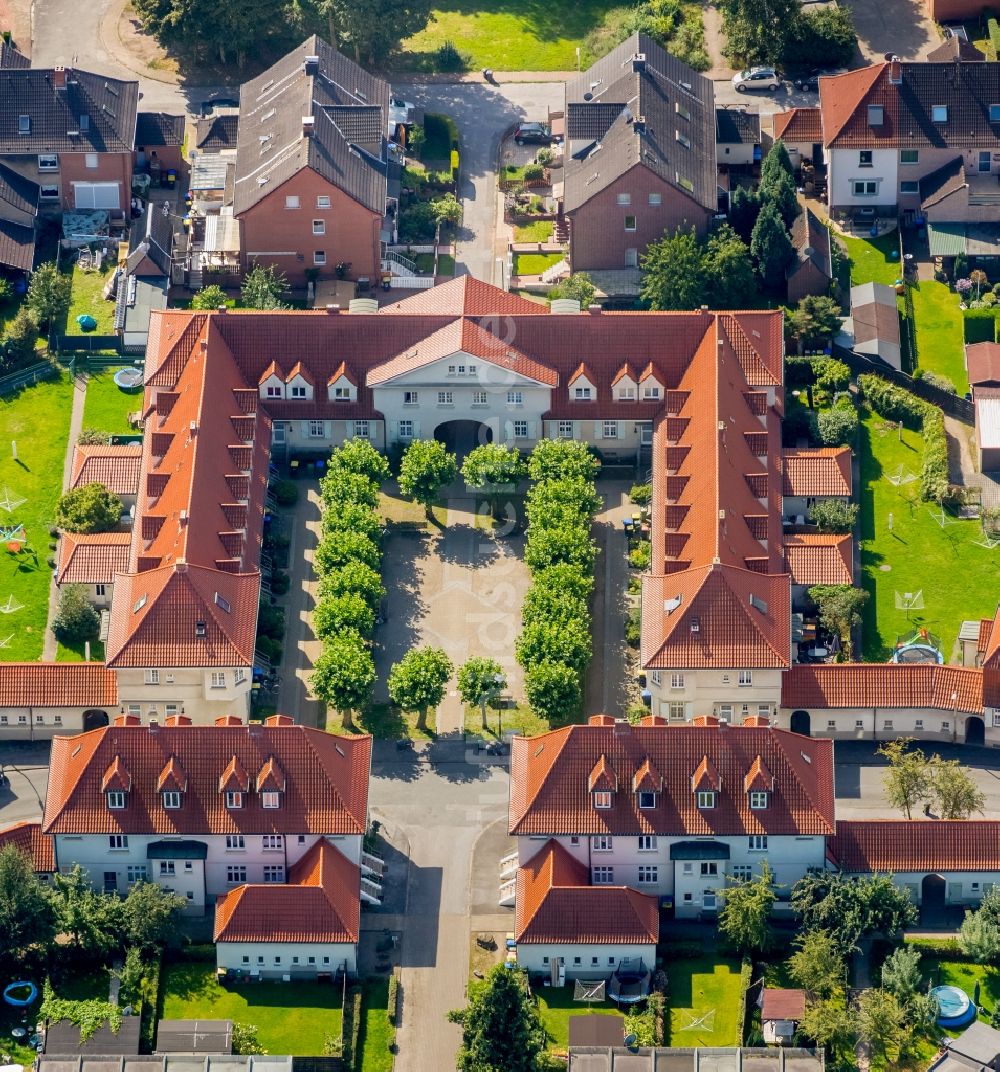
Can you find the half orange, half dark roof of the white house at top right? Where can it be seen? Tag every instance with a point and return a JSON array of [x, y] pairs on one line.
[[907, 95]]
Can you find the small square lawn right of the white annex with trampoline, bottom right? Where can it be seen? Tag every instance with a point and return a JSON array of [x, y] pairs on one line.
[[705, 1003]]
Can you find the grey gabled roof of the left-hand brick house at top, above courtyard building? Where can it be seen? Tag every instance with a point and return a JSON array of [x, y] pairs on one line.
[[350, 109]]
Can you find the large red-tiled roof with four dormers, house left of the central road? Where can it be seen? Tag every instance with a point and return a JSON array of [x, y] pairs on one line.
[[326, 790]]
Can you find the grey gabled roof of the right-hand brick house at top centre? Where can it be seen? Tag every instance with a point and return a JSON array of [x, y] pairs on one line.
[[604, 142]]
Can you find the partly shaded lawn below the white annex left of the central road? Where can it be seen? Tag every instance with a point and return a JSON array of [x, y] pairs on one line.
[[292, 1018]]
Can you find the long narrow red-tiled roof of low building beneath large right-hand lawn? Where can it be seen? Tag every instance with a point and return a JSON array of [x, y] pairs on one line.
[[884, 686]]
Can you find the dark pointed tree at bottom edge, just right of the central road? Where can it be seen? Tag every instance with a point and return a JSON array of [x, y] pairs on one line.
[[501, 1030]]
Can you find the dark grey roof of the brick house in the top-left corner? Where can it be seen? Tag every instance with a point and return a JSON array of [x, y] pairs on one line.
[[101, 111]]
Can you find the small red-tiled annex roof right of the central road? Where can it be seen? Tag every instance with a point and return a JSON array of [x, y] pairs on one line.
[[556, 903]]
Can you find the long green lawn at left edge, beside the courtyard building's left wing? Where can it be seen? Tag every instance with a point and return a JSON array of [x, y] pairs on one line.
[[38, 420]]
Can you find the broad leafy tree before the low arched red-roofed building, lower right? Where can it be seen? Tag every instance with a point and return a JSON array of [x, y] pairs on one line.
[[852, 910]]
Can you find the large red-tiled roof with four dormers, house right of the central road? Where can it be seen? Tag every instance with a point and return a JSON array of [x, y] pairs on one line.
[[549, 792]]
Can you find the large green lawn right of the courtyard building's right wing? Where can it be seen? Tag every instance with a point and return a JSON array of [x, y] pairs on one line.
[[921, 556]]
